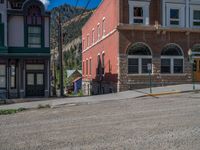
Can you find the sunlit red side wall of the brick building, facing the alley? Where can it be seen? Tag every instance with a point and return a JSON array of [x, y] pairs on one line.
[[108, 44]]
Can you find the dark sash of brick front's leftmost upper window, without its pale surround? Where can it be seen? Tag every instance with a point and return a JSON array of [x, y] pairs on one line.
[[138, 16]]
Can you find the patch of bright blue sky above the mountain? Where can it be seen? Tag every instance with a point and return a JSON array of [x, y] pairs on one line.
[[54, 3]]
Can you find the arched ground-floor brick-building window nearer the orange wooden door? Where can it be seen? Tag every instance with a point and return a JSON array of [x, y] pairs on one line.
[[172, 59]]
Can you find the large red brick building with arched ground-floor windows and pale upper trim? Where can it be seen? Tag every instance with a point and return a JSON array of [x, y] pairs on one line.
[[123, 36]]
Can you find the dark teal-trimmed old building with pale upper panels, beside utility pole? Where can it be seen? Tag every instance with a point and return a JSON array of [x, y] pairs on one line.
[[24, 49]]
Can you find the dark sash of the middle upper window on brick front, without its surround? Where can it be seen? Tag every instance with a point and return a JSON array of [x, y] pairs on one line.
[[174, 17]]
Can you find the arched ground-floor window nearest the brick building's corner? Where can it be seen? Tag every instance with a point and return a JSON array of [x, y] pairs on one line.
[[139, 56]]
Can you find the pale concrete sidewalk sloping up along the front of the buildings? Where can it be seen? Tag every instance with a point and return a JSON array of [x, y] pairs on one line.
[[100, 98]]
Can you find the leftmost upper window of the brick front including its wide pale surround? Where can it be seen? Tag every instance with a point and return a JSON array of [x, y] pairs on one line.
[[139, 12]]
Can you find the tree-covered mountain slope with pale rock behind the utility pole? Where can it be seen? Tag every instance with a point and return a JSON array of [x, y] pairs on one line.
[[73, 20]]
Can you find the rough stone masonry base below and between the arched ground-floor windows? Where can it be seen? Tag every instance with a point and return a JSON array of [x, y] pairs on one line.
[[130, 82]]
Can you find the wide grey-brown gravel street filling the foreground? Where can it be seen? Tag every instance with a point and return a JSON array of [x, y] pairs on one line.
[[151, 123]]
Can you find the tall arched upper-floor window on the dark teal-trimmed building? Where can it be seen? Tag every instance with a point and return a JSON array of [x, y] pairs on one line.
[[34, 22]]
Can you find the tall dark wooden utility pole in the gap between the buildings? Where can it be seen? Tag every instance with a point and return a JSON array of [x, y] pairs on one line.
[[60, 42]]
